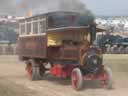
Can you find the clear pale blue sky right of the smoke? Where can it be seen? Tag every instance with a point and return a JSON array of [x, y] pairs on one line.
[[107, 7]]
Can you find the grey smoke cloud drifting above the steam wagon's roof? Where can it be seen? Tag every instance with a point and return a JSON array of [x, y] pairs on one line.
[[21, 7]]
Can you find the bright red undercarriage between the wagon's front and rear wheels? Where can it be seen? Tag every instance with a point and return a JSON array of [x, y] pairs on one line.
[[61, 70]]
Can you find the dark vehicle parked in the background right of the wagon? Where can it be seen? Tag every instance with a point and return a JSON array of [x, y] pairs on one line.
[[113, 44]]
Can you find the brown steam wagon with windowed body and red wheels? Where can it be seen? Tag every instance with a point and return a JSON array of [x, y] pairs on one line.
[[66, 42]]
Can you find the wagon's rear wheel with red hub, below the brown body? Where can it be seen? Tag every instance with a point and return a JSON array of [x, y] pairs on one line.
[[35, 71]]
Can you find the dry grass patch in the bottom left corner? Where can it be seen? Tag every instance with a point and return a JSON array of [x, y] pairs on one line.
[[11, 89]]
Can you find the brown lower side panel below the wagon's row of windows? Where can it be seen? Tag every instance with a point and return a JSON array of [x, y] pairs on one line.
[[32, 46]]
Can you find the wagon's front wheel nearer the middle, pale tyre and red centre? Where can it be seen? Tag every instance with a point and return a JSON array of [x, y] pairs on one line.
[[76, 79]]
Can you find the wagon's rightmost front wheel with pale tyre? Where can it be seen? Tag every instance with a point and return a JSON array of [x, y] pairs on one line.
[[108, 81]]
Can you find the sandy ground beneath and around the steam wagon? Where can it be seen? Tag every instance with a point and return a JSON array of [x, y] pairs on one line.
[[12, 72]]
